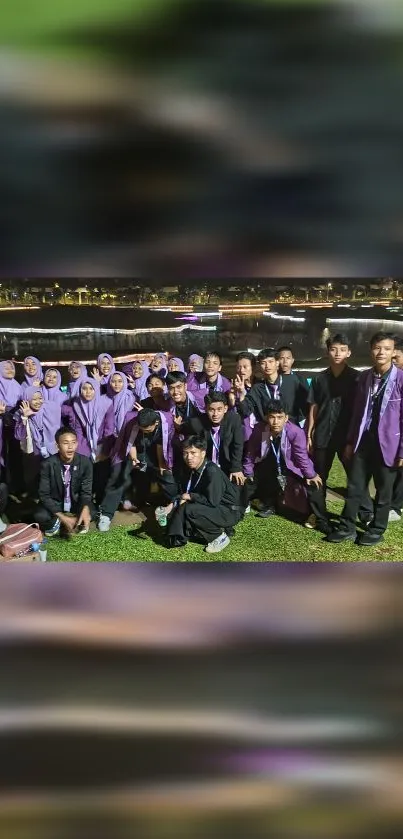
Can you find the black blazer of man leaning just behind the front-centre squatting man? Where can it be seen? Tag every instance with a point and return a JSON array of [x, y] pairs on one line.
[[231, 440]]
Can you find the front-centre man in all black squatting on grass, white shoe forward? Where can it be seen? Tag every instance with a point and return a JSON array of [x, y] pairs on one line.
[[207, 506]]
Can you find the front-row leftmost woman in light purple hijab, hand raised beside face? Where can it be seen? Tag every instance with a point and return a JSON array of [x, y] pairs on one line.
[[36, 423]]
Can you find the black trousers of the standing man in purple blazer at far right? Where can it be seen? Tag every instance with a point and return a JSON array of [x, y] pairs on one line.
[[368, 463]]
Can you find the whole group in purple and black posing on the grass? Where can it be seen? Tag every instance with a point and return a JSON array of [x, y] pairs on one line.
[[210, 445]]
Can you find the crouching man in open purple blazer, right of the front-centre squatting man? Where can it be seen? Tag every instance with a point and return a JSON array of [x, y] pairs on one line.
[[283, 475]]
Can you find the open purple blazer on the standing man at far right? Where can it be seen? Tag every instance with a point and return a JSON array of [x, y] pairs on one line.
[[390, 428]]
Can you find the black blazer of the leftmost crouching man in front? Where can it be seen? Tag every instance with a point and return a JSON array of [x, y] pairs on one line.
[[51, 488]]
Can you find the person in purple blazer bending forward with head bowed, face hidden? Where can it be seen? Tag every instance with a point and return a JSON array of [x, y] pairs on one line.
[[142, 455]]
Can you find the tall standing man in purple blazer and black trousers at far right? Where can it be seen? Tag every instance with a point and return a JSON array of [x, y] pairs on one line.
[[374, 442]]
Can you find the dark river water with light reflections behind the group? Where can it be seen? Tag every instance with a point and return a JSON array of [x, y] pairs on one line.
[[59, 334]]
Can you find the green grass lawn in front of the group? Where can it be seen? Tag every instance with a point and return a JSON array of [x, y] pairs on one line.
[[255, 540]]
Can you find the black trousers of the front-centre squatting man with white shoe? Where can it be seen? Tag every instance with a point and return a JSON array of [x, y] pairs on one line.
[[200, 521]]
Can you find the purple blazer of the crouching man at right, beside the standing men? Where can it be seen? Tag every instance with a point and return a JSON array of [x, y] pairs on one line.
[[293, 448]]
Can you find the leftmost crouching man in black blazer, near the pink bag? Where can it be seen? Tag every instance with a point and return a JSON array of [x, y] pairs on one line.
[[65, 488]]
